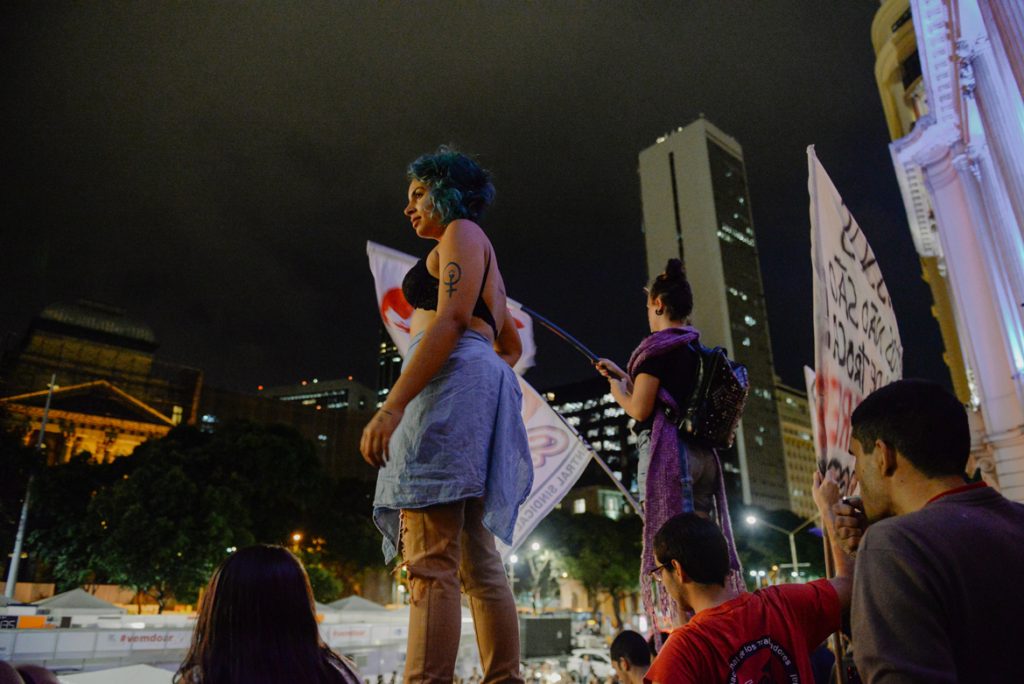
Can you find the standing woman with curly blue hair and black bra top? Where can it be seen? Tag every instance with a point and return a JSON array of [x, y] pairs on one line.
[[450, 443]]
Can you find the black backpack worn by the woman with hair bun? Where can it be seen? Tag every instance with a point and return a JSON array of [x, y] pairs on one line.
[[712, 414]]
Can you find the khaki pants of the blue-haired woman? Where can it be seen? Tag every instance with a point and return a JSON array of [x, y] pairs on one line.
[[443, 545]]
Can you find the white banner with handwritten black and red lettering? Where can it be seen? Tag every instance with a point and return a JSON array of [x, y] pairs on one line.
[[858, 348]]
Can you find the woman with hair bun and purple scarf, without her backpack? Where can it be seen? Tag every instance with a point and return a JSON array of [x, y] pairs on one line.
[[675, 476]]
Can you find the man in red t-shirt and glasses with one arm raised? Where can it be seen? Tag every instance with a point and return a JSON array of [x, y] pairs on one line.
[[760, 637]]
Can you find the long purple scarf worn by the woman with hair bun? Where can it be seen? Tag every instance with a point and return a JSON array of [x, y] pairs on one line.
[[664, 495]]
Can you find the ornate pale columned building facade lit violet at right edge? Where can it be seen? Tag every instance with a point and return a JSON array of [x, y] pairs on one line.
[[961, 170]]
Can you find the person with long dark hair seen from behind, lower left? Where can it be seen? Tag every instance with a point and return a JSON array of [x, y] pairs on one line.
[[258, 625]]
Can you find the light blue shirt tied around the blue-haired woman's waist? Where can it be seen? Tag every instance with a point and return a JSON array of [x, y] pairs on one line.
[[461, 438]]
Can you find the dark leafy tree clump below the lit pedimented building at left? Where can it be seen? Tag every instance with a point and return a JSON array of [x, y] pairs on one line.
[[161, 520]]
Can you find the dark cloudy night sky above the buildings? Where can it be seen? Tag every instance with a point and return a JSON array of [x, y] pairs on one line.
[[217, 168]]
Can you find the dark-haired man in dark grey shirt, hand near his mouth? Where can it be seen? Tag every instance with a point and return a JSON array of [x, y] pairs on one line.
[[937, 595]]
